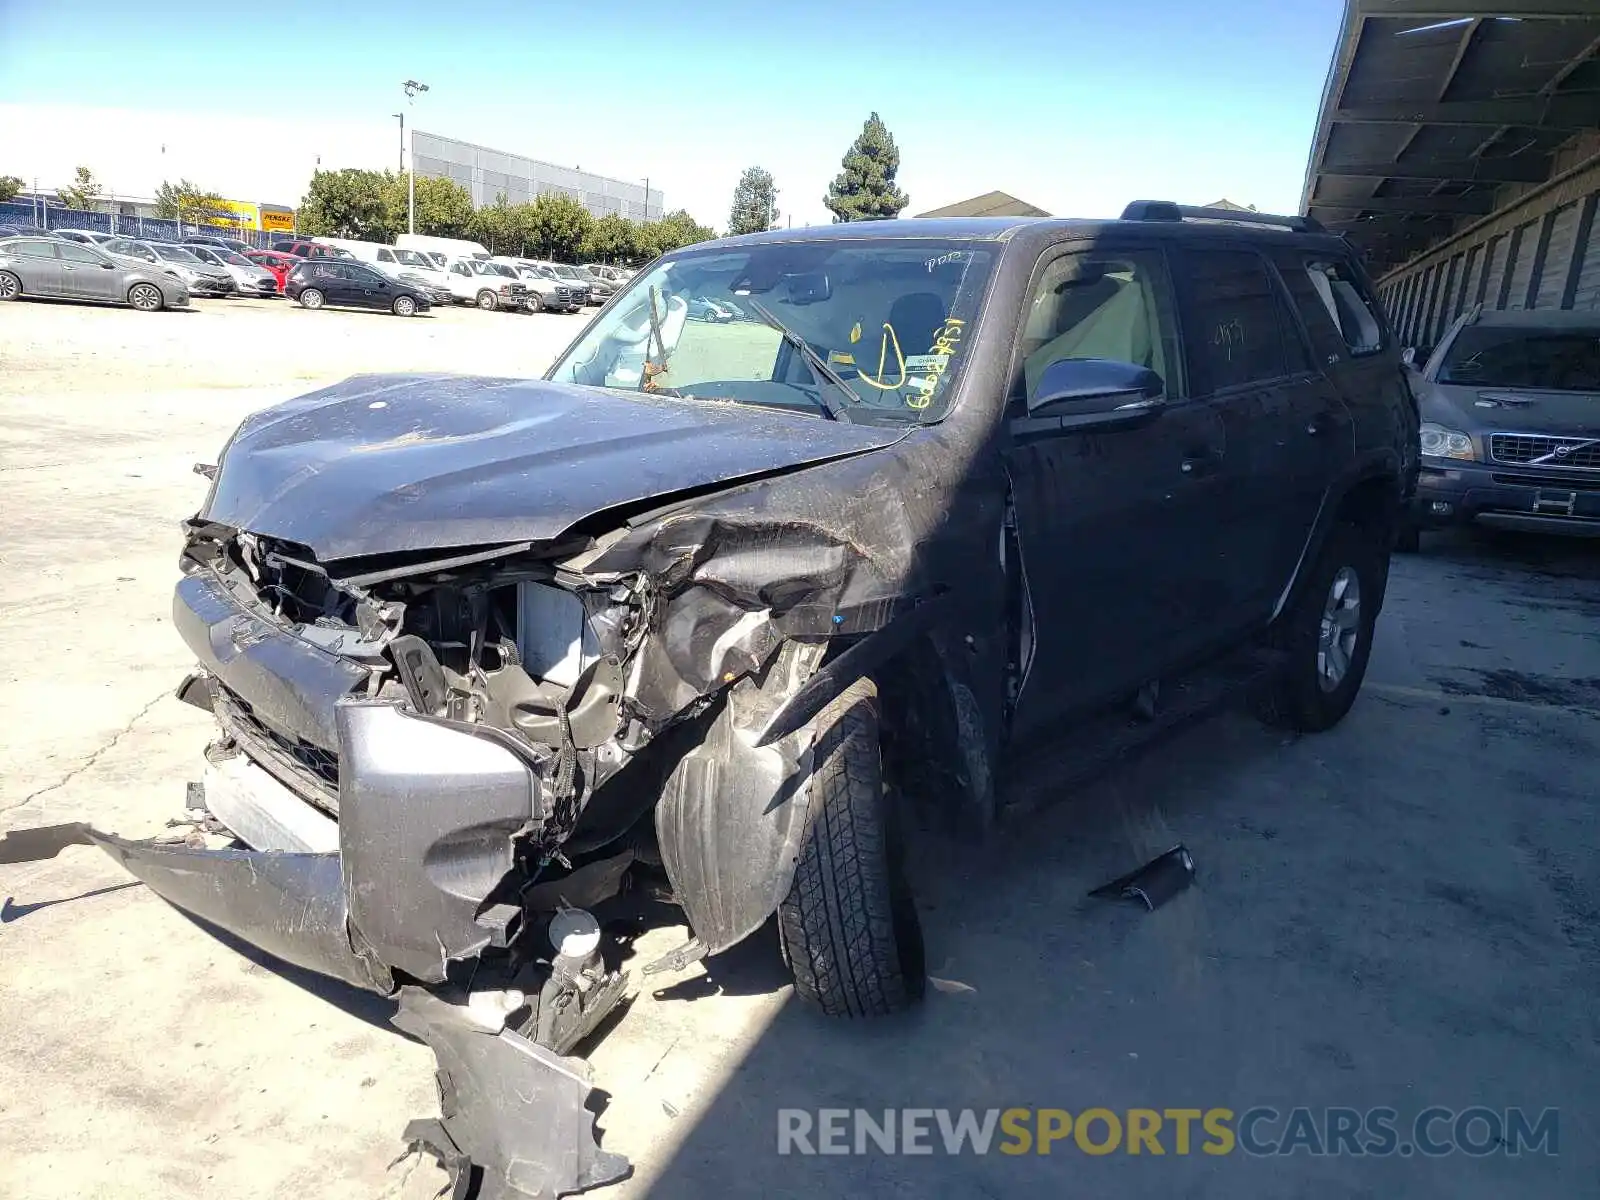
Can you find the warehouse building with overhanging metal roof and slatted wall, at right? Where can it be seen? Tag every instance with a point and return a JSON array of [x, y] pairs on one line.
[[1458, 146]]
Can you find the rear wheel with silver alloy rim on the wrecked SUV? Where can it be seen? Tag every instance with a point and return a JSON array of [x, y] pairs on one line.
[[1327, 634]]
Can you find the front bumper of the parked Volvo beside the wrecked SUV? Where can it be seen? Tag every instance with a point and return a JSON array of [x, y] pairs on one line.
[[1506, 498]]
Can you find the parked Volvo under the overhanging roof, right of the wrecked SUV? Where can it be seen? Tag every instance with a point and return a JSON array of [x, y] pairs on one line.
[[1511, 425]]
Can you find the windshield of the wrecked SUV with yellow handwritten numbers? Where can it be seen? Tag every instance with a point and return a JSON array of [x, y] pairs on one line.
[[889, 318]]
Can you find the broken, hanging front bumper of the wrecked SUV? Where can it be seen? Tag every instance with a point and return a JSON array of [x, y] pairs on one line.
[[425, 812]]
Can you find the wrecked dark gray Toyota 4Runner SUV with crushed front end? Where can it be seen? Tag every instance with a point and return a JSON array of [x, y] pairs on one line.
[[714, 598]]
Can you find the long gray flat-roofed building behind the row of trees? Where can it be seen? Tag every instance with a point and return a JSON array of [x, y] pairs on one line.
[[489, 175]]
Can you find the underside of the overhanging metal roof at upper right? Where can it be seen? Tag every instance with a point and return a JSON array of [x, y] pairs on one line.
[[1434, 110]]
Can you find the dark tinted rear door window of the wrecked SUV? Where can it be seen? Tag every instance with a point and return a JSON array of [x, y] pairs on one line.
[[1236, 327]]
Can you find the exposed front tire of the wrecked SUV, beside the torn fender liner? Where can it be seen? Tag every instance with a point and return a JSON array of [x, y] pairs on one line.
[[849, 926]]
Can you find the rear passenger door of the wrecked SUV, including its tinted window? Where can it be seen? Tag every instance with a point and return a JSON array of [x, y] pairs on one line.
[[1250, 364]]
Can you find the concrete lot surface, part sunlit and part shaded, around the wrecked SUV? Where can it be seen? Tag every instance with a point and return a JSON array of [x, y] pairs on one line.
[[1401, 913]]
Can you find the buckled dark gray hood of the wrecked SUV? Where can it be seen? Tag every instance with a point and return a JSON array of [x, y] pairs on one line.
[[380, 465]]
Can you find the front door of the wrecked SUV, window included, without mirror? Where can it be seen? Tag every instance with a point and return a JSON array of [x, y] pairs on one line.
[[1116, 529]]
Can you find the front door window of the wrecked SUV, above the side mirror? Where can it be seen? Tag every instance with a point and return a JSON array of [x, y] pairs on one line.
[[1097, 305]]
